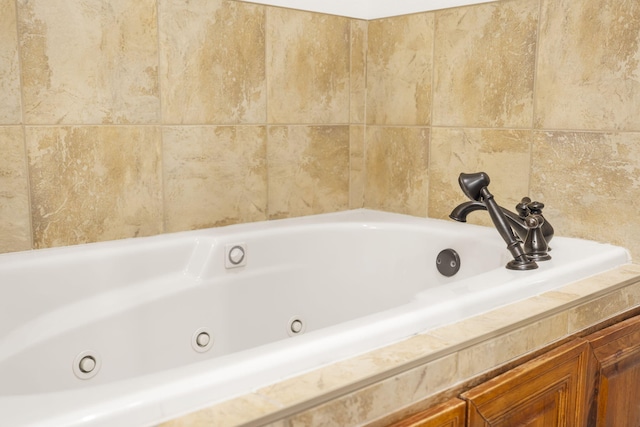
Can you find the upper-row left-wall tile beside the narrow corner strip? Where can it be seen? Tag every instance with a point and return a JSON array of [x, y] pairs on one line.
[[308, 57]]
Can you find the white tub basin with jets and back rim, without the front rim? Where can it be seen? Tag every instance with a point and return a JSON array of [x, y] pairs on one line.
[[137, 305]]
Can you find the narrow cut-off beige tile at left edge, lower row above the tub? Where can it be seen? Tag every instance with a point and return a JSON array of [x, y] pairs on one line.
[[15, 227]]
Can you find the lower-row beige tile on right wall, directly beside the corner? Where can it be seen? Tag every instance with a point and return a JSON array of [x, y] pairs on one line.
[[396, 161]]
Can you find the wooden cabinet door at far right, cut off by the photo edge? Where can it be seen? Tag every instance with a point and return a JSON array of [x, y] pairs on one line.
[[617, 348]]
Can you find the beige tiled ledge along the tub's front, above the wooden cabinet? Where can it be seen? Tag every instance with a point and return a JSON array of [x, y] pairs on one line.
[[365, 389]]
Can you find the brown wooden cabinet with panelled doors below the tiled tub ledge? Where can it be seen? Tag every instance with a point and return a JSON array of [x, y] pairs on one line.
[[590, 381]]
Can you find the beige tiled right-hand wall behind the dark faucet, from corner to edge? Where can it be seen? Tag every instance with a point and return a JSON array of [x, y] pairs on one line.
[[542, 95]]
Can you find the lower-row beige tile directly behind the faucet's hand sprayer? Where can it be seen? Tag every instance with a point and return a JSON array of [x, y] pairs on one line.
[[503, 154]]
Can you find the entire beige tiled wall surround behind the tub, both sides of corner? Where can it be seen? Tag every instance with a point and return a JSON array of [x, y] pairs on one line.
[[128, 118]]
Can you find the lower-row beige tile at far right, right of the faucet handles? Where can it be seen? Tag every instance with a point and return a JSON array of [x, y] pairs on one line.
[[589, 184]]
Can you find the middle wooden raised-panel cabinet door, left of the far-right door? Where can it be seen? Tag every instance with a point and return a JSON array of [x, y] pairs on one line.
[[555, 389]]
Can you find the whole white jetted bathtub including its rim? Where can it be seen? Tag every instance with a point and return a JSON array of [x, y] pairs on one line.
[[355, 280]]
